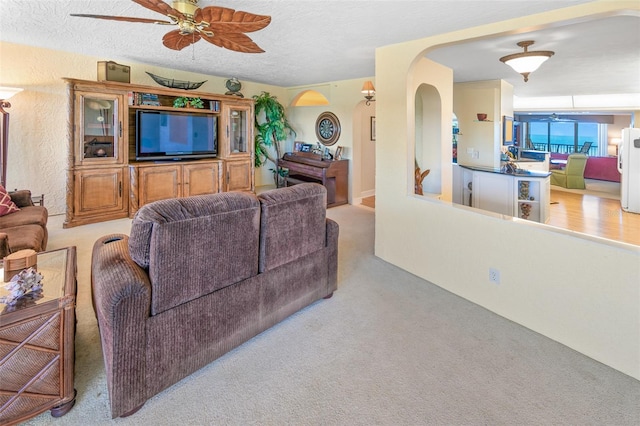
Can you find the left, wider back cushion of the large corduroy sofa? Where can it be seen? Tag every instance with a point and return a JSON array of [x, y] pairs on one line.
[[193, 246]]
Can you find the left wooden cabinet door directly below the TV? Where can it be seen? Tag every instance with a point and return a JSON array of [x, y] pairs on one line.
[[159, 183]]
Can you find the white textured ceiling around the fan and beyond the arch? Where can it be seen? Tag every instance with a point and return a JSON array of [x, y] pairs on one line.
[[311, 42]]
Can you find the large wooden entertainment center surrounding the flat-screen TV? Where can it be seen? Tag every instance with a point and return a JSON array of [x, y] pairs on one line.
[[104, 180]]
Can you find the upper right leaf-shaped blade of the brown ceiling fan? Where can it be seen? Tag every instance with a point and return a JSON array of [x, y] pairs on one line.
[[222, 19]]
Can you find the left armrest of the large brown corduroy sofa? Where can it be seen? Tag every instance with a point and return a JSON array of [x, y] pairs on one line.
[[121, 294]]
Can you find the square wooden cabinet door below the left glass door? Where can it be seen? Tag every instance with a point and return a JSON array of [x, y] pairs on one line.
[[99, 192]]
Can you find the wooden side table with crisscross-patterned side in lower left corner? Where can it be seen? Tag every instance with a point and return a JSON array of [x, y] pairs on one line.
[[37, 344]]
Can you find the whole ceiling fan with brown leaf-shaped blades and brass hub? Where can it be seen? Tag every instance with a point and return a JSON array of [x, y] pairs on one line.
[[221, 26]]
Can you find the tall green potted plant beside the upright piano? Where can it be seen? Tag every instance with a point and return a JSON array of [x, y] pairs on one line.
[[272, 128]]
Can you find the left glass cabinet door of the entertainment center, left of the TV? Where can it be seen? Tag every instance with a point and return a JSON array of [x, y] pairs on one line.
[[100, 132]]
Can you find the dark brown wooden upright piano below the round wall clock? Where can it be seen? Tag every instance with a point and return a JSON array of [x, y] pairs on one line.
[[333, 174]]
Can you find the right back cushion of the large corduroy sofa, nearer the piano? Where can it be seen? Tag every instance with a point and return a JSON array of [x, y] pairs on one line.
[[293, 223]]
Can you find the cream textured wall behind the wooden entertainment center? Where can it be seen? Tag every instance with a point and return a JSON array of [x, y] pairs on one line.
[[38, 132]]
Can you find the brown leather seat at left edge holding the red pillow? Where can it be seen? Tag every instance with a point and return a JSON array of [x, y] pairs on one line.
[[24, 229]]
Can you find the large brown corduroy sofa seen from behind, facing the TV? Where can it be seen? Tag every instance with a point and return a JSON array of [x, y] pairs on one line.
[[198, 276]]
